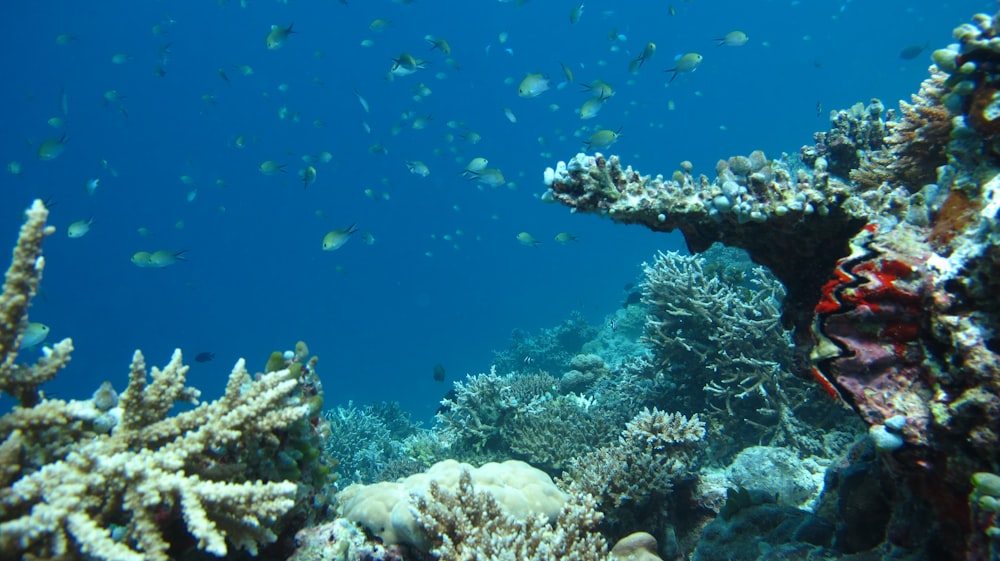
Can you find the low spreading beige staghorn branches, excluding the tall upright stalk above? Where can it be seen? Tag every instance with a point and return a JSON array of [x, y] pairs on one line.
[[137, 472]]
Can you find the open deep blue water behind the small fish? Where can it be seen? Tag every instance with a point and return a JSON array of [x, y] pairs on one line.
[[380, 316]]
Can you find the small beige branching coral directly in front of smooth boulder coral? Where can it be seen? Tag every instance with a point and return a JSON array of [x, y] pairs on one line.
[[471, 524]]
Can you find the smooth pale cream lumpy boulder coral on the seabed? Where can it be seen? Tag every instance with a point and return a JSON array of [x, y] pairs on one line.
[[385, 508]]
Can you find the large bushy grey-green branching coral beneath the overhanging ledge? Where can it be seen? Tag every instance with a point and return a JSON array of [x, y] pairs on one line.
[[713, 322]]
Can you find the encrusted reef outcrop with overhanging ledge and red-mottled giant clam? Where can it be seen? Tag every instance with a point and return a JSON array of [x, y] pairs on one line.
[[885, 234]]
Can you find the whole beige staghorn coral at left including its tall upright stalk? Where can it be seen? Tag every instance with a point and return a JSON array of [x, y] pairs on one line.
[[77, 484]]
